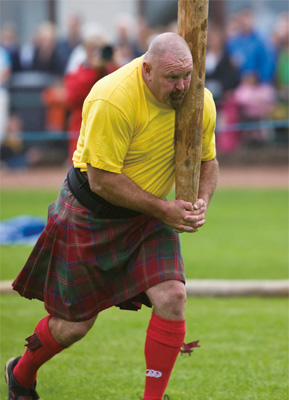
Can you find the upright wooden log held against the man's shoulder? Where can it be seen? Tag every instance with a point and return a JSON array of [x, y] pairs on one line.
[[192, 26]]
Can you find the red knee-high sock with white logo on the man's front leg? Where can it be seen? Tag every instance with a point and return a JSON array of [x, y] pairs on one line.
[[163, 342]]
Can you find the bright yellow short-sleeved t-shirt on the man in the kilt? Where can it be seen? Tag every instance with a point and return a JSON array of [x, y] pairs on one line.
[[125, 129]]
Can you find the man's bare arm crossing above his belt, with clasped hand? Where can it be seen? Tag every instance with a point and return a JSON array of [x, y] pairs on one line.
[[120, 190]]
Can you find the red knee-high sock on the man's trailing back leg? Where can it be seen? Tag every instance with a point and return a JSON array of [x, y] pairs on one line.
[[40, 348]]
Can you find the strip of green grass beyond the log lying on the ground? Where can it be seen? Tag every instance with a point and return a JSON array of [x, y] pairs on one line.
[[245, 237]]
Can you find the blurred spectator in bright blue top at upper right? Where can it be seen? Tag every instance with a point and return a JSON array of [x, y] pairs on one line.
[[249, 51]]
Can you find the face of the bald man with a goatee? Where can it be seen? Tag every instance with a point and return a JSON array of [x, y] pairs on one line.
[[170, 78]]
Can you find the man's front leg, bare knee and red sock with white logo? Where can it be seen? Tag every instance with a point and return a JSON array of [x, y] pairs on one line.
[[165, 335]]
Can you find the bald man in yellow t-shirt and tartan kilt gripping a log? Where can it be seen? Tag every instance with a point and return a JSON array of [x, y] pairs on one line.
[[111, 237]]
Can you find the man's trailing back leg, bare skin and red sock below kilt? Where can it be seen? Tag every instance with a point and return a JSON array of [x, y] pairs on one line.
[[51, 336]]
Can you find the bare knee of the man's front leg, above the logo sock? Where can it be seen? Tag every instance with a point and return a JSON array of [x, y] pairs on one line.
[[168, 299]]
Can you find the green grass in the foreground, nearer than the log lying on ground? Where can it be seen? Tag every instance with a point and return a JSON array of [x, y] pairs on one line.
[[243, 353]]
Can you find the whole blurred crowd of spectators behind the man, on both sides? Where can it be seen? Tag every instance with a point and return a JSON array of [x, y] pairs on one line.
[[43, 83]]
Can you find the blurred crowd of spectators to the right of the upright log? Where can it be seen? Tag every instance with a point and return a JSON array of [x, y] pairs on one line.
[[248, 75]]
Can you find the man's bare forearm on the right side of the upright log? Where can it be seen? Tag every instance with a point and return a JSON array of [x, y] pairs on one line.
[[208, 180]]
